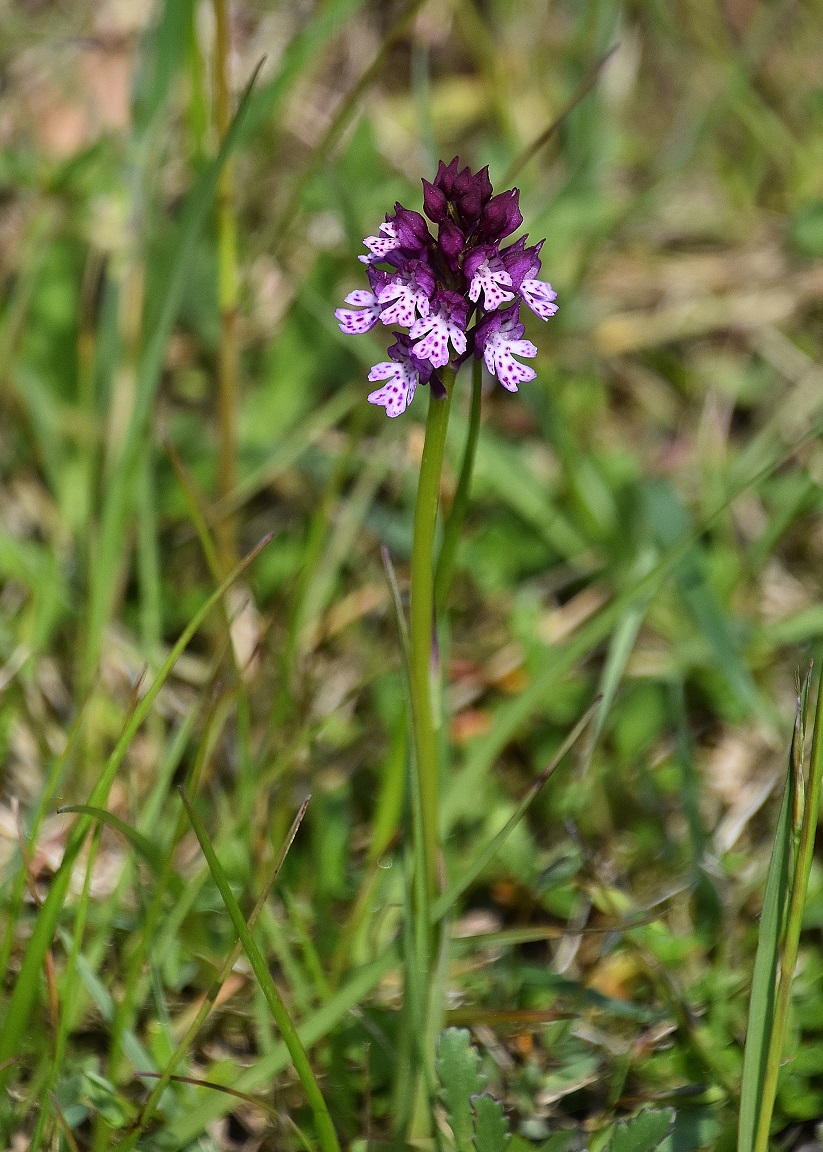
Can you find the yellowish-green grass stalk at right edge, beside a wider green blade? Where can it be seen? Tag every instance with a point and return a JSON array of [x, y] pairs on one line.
[[806, 820]]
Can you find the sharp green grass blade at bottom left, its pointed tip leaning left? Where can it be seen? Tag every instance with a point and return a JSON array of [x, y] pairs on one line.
[[326, 1130]]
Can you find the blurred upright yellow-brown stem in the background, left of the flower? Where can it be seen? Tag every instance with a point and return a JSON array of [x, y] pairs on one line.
[[228, 293]]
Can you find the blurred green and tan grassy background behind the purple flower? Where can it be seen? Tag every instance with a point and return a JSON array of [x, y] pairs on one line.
[[671, 438]]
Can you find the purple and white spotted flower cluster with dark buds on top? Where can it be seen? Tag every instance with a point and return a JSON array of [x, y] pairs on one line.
[[457, 294]]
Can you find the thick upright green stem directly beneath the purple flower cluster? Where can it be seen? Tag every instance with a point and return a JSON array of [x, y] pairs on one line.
[[422, 626]]
